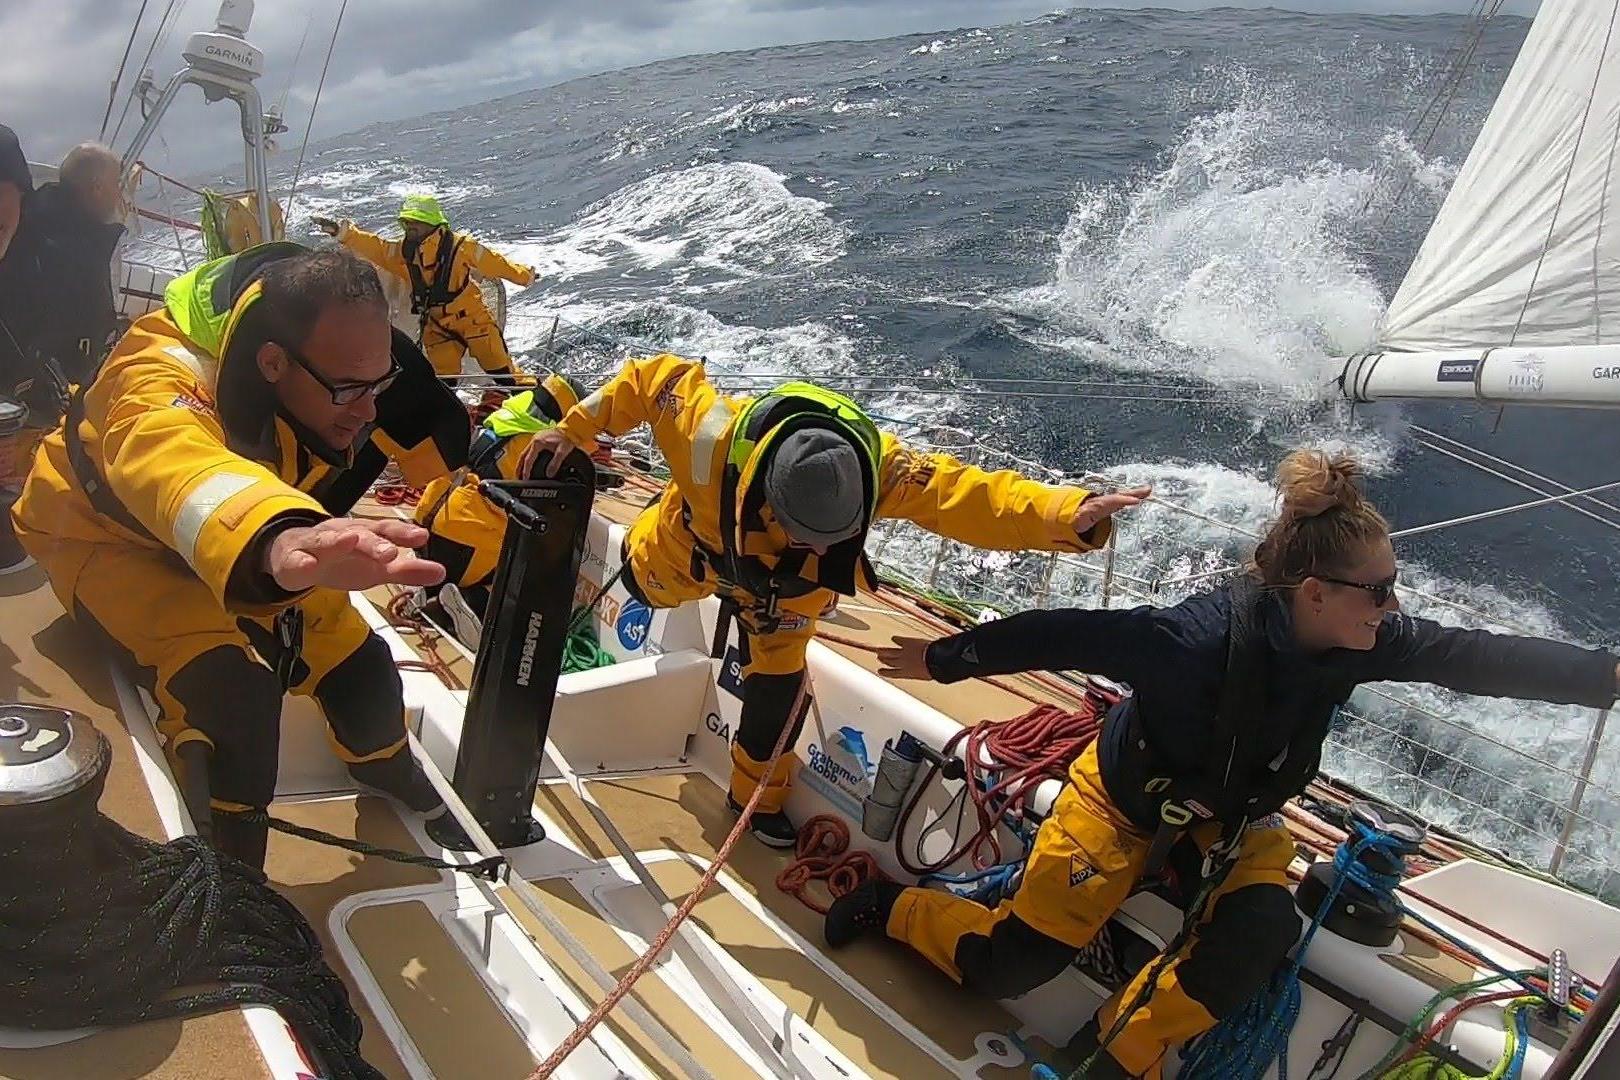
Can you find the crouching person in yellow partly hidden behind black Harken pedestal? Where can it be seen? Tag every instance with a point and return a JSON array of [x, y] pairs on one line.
[[467, 529]]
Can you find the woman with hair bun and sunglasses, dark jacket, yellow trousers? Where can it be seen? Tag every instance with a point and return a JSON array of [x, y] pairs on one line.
[[1203, 755]]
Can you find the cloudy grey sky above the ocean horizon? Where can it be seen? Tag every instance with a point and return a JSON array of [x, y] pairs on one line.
[[407, 57]]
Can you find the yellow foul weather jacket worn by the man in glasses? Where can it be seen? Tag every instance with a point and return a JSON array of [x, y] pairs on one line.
[[181, 451]]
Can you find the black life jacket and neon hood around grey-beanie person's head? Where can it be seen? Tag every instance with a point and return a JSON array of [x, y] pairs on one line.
[[756, 435]]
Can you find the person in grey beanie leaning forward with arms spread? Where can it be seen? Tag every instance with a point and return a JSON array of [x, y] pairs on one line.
[[770, 503]]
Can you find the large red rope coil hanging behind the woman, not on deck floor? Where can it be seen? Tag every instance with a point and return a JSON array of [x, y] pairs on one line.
[[1007, 762]]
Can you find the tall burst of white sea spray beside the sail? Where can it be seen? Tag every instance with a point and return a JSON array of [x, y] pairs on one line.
[[1234, 263]]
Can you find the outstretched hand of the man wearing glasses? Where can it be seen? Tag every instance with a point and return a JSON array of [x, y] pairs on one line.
[[351, 555]]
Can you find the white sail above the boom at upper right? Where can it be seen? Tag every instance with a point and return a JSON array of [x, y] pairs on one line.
[[1524, 252]]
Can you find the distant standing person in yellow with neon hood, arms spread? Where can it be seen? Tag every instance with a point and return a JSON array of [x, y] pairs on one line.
[[440, 266]]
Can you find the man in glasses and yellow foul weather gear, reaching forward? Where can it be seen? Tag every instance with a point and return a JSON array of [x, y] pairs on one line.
[[194, 508]]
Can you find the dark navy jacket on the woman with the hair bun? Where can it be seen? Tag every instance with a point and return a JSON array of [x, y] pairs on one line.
[[1175, 661]]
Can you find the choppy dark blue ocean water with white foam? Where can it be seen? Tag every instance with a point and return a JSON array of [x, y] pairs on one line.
[[1177, 221]]
